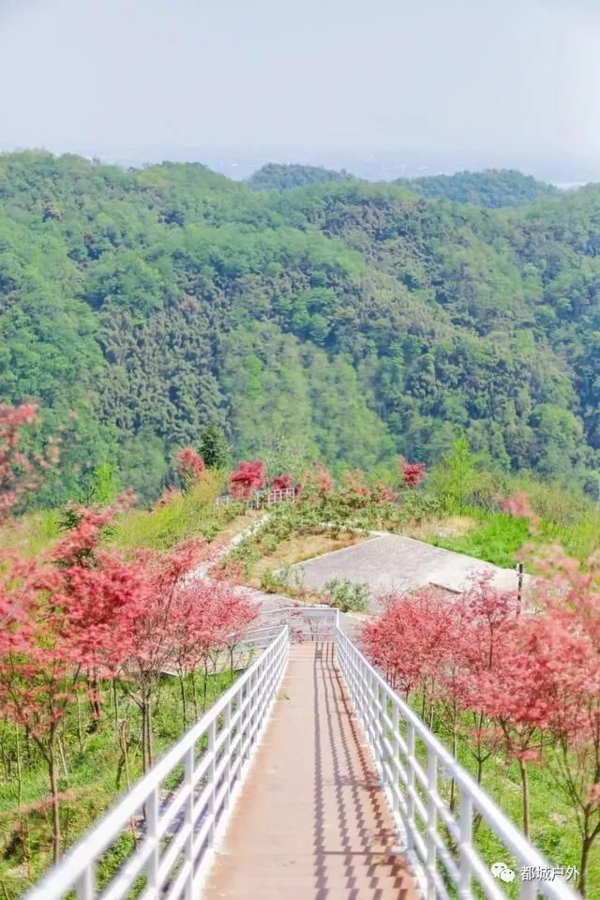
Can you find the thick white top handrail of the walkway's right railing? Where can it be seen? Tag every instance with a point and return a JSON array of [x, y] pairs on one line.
[[501, 825]]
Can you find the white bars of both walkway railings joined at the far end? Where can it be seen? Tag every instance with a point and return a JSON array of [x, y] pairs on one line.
[[372, 698]]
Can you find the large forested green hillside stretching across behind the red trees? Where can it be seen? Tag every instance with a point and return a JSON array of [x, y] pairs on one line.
[[352, 321]]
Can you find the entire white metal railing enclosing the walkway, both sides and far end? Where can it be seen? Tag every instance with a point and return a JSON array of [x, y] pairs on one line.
[[184, 802]]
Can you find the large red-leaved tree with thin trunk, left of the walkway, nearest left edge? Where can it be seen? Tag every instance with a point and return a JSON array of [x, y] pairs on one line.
[[64, 618]]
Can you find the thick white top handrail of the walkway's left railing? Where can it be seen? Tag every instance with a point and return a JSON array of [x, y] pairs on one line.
[[75, 863]]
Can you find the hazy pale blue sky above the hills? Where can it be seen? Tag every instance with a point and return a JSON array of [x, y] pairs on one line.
[[455, 75]]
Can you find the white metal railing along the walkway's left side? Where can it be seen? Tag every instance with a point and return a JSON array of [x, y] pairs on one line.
[[181, 804]]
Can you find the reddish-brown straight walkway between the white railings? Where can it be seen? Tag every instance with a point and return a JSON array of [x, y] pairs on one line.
[[312, 821]]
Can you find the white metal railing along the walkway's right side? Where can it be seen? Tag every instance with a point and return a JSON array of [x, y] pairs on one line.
[[413, 766]]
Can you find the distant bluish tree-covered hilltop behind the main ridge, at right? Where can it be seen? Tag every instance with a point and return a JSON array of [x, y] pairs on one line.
[[493, 188]]
